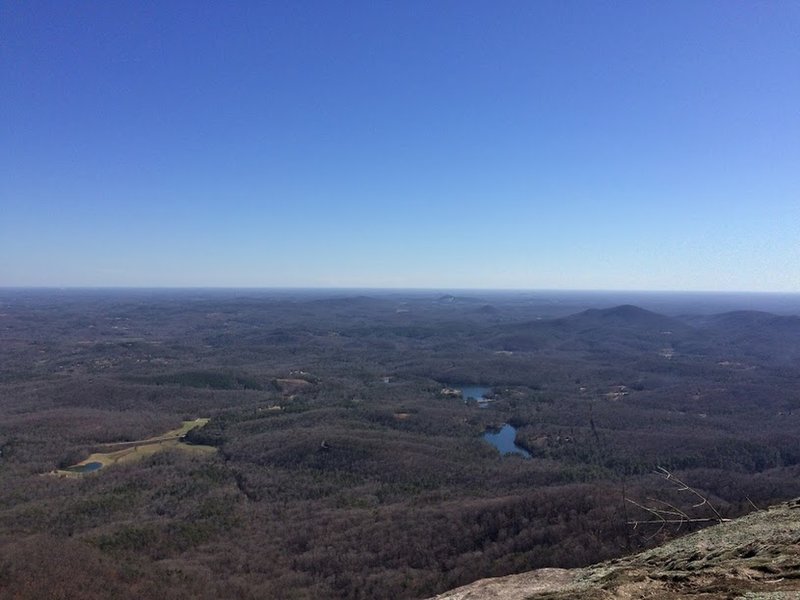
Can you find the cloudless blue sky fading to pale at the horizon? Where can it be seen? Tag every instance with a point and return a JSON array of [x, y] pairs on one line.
[[565, 145]]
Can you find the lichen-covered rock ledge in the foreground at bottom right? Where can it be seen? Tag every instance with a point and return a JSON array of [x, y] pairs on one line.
[[756, 557]]
